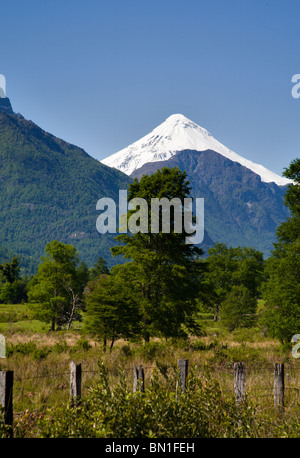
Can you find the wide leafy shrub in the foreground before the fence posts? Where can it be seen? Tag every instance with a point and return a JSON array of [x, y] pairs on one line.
[[117, 412]]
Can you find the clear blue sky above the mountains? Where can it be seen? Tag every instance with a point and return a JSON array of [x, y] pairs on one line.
[[102, 74]]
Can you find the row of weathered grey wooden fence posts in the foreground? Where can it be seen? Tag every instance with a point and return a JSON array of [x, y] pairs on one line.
[[7, 381]]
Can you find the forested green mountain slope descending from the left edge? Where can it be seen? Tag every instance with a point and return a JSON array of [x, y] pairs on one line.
[[49, 190]]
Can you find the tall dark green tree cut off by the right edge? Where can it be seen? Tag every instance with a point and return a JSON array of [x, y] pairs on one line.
[[282, 289]]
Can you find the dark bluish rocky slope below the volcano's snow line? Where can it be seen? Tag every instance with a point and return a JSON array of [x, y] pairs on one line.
[[240, 209]]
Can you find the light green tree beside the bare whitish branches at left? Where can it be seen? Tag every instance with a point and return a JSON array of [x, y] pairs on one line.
[[56, 290]]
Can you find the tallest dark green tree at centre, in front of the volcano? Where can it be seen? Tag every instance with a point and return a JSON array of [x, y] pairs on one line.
[[162, 268]]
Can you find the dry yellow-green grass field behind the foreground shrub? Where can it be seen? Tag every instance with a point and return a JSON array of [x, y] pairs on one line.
[[41, 359]]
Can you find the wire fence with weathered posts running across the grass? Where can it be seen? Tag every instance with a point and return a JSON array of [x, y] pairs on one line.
[[278, 387]]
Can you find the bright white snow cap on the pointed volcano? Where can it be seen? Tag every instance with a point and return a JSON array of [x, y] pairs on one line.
[[175, 134]]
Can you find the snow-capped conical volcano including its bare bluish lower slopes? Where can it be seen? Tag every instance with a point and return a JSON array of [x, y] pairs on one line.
[[243, 201]]
